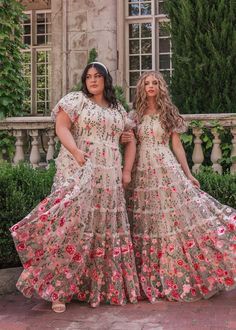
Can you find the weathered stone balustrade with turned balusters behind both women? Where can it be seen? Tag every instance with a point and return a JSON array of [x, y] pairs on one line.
[[42, 128]]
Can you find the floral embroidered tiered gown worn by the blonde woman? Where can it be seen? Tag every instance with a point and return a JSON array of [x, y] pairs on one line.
[[184, 239]]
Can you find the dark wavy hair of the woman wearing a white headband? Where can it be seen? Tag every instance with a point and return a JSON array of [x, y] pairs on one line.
[[109, 91]]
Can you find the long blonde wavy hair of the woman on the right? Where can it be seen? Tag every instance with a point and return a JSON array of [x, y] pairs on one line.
[[169, 116]]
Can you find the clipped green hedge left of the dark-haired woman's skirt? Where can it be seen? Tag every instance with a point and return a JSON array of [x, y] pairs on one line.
[[21, 189]]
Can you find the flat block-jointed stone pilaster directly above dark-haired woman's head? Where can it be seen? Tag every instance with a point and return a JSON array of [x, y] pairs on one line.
[[91, 24]]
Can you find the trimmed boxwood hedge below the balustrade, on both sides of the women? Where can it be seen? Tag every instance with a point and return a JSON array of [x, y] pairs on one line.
[[22, 188]]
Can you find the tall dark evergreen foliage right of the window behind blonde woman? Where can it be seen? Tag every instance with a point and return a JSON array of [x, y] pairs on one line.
[[204, 55]]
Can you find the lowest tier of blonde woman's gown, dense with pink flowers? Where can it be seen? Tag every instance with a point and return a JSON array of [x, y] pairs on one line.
[[186, 267]]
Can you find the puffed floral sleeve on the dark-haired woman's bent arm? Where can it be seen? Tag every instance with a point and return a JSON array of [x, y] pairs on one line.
[[72, 104]]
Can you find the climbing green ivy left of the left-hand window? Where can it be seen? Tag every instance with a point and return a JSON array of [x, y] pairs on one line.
[[11, 80]]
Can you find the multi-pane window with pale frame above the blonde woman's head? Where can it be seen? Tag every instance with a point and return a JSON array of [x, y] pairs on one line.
[[142, 38]]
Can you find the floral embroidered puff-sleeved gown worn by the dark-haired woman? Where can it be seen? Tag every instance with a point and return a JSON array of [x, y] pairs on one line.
[[76, 243]]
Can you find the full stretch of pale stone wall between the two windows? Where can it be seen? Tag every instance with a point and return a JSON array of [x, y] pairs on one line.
[[77, 27]]
